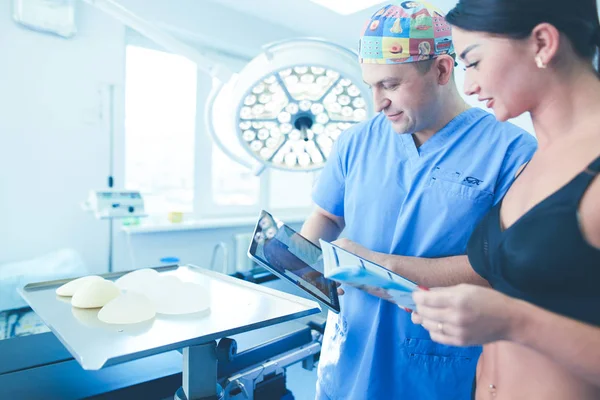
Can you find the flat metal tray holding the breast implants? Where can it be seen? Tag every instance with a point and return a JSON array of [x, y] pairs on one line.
[[236, 306]]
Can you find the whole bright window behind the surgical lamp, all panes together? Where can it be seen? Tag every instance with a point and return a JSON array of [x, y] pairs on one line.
[[175, 164]]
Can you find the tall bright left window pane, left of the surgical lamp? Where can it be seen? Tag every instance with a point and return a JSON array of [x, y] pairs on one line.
[[160, 116]]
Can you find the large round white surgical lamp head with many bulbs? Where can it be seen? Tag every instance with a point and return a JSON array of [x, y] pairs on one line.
[[288, 106]]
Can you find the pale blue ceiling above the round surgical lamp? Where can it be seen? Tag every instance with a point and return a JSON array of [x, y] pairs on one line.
[[222, 24]]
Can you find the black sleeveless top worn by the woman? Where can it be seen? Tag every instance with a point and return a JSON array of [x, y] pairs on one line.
[[543, 257]]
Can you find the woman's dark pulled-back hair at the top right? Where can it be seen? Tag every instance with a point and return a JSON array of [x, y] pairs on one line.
[[578, 21]]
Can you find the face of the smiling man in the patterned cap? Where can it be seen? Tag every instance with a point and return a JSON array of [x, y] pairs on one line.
[[404, 94]]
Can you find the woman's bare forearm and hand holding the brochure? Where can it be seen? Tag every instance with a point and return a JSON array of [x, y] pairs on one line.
[[466, 315]]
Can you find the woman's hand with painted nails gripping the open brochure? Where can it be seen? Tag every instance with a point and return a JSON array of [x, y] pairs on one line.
[[466, 315]]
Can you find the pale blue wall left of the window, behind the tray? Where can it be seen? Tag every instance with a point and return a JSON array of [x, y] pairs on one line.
[[54, 144]]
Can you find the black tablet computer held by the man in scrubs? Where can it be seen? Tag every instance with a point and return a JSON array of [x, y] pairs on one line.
[[294, 258]]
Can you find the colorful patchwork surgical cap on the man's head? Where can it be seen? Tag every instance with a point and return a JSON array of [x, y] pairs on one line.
[[405, 31]]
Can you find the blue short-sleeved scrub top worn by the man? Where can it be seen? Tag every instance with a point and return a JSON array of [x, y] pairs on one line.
[[399, 199]]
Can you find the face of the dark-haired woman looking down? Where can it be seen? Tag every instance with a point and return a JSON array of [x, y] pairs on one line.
[[501, 72]]
